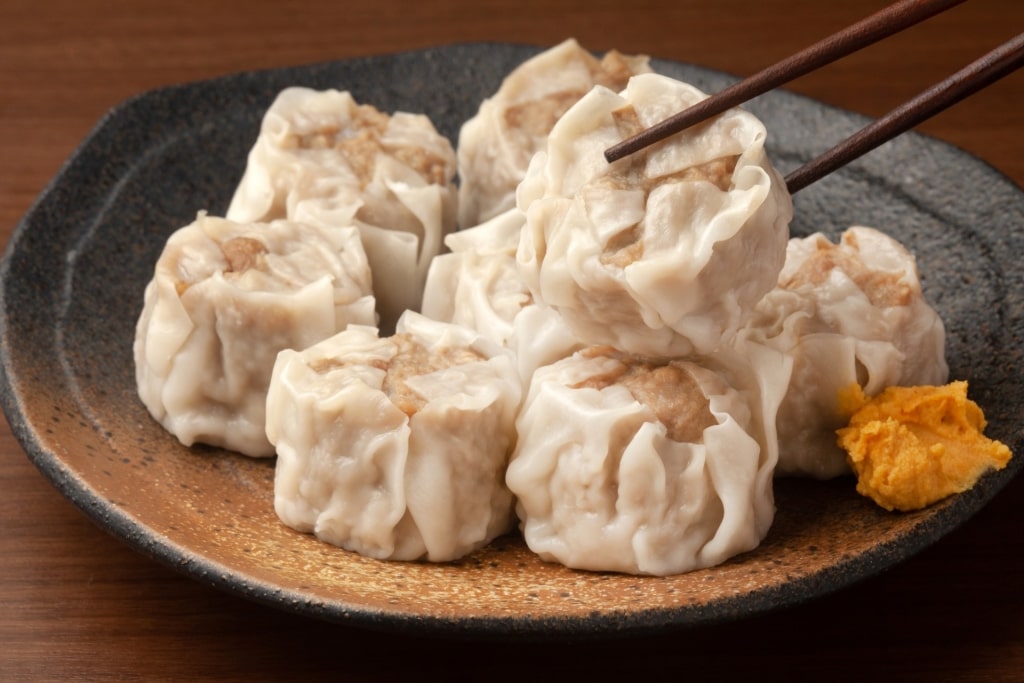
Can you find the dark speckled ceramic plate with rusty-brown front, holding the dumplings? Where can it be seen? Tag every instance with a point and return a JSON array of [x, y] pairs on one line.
[[73, 281]]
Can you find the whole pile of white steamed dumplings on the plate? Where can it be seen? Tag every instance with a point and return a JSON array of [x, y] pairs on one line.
[[583, 352]]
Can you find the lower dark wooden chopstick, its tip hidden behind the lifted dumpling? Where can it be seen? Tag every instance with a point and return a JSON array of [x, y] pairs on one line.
[[979, 74]]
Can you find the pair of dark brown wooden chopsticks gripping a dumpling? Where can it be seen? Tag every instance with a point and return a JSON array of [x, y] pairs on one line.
[[983, 73]]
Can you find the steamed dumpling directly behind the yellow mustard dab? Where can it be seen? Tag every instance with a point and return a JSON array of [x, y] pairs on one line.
[[849, 313]]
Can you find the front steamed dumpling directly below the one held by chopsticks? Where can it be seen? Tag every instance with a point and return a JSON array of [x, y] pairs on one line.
[[644, 467]]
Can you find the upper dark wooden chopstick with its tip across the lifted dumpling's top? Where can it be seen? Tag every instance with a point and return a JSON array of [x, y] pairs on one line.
[[885, 23]]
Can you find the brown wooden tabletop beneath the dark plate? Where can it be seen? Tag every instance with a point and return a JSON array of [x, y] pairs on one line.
[[76, 604]]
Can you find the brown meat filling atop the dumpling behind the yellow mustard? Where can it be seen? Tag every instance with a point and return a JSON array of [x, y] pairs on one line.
[[882, 288]]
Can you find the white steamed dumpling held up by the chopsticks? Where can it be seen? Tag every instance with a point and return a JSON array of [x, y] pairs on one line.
[[662, 253]]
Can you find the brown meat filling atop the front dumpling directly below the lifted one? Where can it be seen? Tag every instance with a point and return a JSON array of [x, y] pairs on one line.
[[668, 390]]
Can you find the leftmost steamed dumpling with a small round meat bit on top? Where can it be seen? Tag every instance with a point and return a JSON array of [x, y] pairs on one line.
[[225, 300]]
